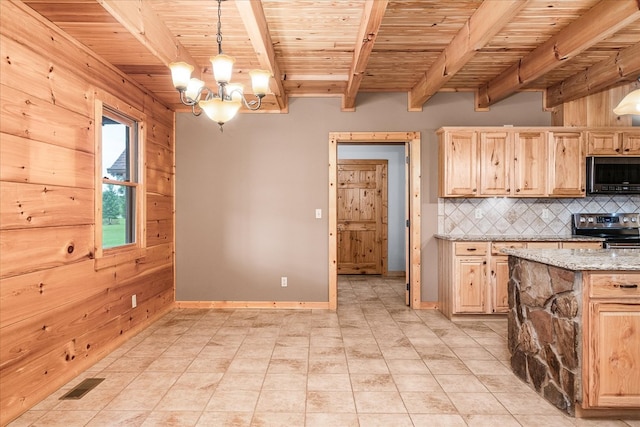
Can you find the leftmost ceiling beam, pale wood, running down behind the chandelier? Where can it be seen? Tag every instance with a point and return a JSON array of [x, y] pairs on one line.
[[143, 23]]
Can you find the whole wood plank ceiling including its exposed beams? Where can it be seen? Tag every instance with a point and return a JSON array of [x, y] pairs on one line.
[[568, 48]]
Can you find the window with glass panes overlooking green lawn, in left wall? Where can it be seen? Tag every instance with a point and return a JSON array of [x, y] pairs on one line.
[[119, 191]]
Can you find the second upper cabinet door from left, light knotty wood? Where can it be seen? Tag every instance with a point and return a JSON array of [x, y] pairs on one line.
[[495, 163]]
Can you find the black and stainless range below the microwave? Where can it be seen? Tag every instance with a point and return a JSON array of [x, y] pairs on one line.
[[620, 230]]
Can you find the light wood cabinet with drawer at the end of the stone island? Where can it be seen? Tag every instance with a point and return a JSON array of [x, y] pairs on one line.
[[611, 342]]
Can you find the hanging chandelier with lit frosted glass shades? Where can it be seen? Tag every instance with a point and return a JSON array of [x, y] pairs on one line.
[[222, 103]]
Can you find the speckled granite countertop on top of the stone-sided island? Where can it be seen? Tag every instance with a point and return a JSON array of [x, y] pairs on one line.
[[582, 259]]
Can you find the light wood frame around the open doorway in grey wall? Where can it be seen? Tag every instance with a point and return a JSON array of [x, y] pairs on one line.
[[410, 139]]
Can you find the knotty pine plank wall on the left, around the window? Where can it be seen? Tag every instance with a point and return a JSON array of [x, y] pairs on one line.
[[58, 315]]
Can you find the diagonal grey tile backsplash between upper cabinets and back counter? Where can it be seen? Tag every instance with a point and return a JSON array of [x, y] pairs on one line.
[[530, 217]]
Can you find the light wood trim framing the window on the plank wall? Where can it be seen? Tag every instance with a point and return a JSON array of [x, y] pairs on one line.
[[106, 257]]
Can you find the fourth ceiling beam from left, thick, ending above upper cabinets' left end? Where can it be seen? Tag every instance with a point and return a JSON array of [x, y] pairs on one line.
[[490, 17]]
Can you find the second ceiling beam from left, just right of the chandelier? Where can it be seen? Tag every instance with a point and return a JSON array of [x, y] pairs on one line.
[[255, 23]]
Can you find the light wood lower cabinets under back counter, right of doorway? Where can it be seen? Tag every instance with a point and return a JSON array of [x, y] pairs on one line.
[[473, 276]]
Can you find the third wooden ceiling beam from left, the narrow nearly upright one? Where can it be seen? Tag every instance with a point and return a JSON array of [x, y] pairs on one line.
[[369, 26]]
